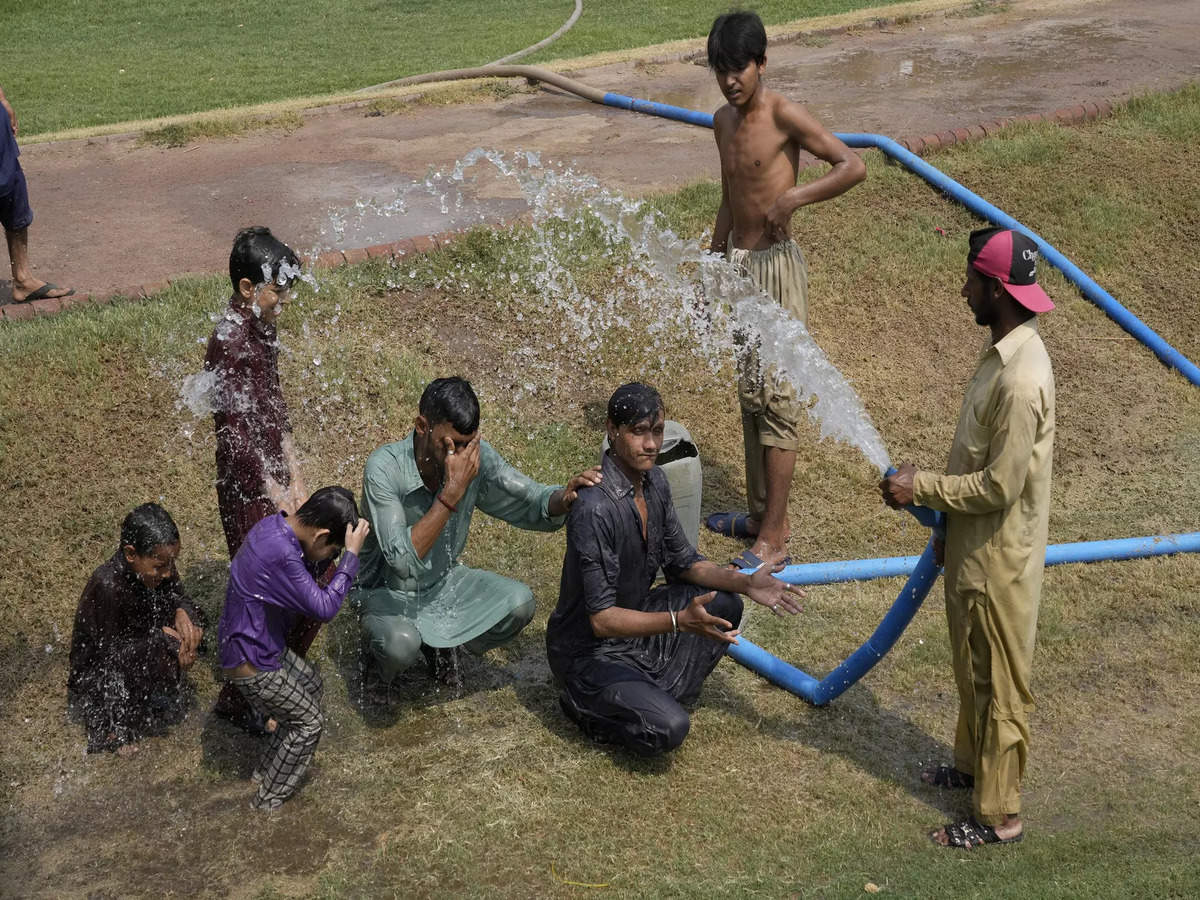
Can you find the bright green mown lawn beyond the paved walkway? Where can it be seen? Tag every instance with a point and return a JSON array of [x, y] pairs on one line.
[[74, 64]]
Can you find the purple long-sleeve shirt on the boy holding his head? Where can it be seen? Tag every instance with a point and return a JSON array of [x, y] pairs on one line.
[[269, 590]]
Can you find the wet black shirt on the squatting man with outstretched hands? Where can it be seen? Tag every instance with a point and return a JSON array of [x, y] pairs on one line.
[[609, 563]]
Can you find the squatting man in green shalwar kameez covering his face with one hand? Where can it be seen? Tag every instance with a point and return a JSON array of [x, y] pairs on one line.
[[419, 495]]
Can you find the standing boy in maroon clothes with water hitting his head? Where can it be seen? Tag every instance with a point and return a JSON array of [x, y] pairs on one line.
[[259, 471]]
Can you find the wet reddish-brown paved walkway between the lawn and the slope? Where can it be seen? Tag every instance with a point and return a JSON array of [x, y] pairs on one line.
[[111, 214]]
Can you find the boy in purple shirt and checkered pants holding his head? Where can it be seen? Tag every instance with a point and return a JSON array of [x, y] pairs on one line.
[[271, 590]]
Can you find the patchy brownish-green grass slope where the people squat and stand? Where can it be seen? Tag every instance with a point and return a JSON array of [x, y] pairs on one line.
[[493, 793]]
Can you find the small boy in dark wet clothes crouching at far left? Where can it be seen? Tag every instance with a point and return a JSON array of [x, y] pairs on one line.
[[136, 634]]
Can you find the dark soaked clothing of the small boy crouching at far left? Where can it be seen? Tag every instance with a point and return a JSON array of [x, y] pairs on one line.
[[125, 680]]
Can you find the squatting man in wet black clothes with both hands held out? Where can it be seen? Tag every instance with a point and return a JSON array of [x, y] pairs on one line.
[[628, 657]]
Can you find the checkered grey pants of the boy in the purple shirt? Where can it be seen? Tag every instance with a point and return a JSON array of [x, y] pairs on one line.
[[291, 695]]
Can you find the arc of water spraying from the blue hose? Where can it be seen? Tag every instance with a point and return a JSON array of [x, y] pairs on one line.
[[658, 290]]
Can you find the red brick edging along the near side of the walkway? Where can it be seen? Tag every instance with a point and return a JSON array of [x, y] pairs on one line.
[[428, 243]]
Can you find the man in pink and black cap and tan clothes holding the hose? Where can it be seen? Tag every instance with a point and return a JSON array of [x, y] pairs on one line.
[[997, 496]]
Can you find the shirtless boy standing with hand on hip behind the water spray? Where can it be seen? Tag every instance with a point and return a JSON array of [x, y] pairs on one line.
[[759, 137]]
